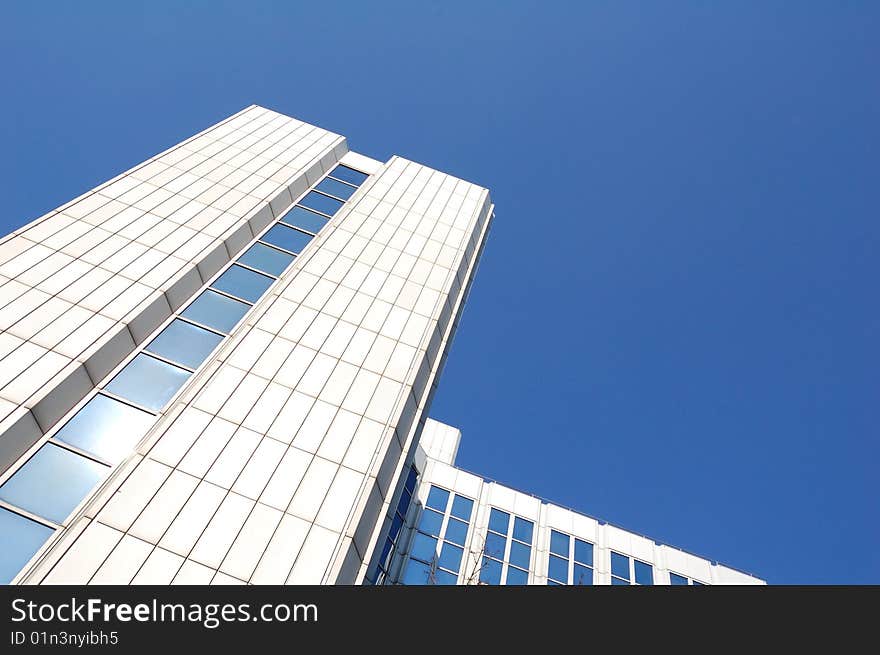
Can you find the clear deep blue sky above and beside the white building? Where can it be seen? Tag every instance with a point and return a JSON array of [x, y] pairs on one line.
[[675, 323]]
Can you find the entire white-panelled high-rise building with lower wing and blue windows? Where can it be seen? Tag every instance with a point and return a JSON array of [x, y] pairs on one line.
[[217, 367]]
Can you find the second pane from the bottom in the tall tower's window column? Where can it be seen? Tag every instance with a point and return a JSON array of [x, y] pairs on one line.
[[52, 482]]
